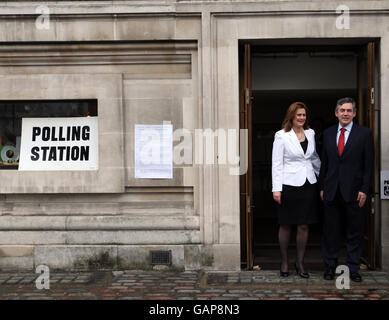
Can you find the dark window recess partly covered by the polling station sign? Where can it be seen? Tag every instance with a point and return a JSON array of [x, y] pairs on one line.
[[12, 112]]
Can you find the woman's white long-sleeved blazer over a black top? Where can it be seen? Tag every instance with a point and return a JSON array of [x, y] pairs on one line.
[[290, 166]]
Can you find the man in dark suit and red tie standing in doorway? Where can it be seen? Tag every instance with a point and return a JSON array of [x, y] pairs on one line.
[[344, 180]]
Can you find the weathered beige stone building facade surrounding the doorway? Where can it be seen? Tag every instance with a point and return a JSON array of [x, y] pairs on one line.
[[146, 62]]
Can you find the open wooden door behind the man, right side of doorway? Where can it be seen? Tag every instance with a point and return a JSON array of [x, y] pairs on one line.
[[367, 117]]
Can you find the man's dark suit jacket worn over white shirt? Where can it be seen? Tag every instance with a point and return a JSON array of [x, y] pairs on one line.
[[352, 171]]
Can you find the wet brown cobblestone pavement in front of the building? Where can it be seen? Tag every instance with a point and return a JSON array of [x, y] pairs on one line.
[[168, 285]]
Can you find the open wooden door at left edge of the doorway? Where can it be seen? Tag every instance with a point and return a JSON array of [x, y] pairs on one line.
[[246, 189]]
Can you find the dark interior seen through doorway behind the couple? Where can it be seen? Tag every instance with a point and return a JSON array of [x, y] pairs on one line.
[[280, 78]]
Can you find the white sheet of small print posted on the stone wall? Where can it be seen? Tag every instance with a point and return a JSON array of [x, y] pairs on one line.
[[153, 151]]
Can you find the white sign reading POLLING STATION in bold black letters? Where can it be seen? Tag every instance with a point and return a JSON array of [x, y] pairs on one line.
[[59, 144]]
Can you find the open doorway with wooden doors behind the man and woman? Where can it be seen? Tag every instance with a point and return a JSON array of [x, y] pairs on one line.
[[275, 77]]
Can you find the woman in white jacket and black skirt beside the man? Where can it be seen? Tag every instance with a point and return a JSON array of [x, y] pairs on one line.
[[295, 167]]
